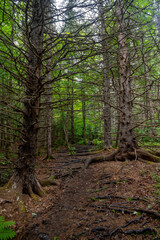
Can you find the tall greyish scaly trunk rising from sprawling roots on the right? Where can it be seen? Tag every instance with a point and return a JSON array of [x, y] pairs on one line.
[[127, 139]]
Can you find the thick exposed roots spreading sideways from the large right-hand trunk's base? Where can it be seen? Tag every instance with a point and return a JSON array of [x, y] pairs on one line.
[[119, 156]]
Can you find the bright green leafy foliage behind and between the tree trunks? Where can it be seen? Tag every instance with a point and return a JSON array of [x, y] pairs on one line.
[[80, 72]]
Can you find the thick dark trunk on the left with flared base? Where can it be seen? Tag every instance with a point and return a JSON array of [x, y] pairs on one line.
[[24, 179]]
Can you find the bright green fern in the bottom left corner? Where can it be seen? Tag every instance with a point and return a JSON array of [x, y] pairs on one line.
[[5, 231]]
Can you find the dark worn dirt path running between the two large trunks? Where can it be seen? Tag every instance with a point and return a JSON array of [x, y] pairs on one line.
[[63, 219]]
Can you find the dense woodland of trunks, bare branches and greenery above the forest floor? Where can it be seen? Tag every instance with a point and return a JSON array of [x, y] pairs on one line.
[[82, 72]]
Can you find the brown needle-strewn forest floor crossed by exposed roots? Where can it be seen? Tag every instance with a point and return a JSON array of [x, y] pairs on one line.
[[109, 200]]
